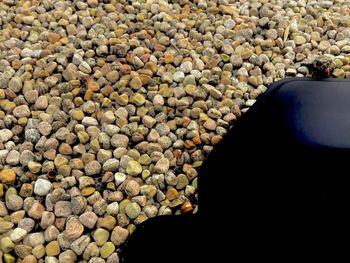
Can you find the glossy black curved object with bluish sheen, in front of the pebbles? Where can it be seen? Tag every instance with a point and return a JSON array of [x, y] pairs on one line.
[[275, 188]]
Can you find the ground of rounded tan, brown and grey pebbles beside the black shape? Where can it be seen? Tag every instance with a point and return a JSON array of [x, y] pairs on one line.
[[108, 108]]
